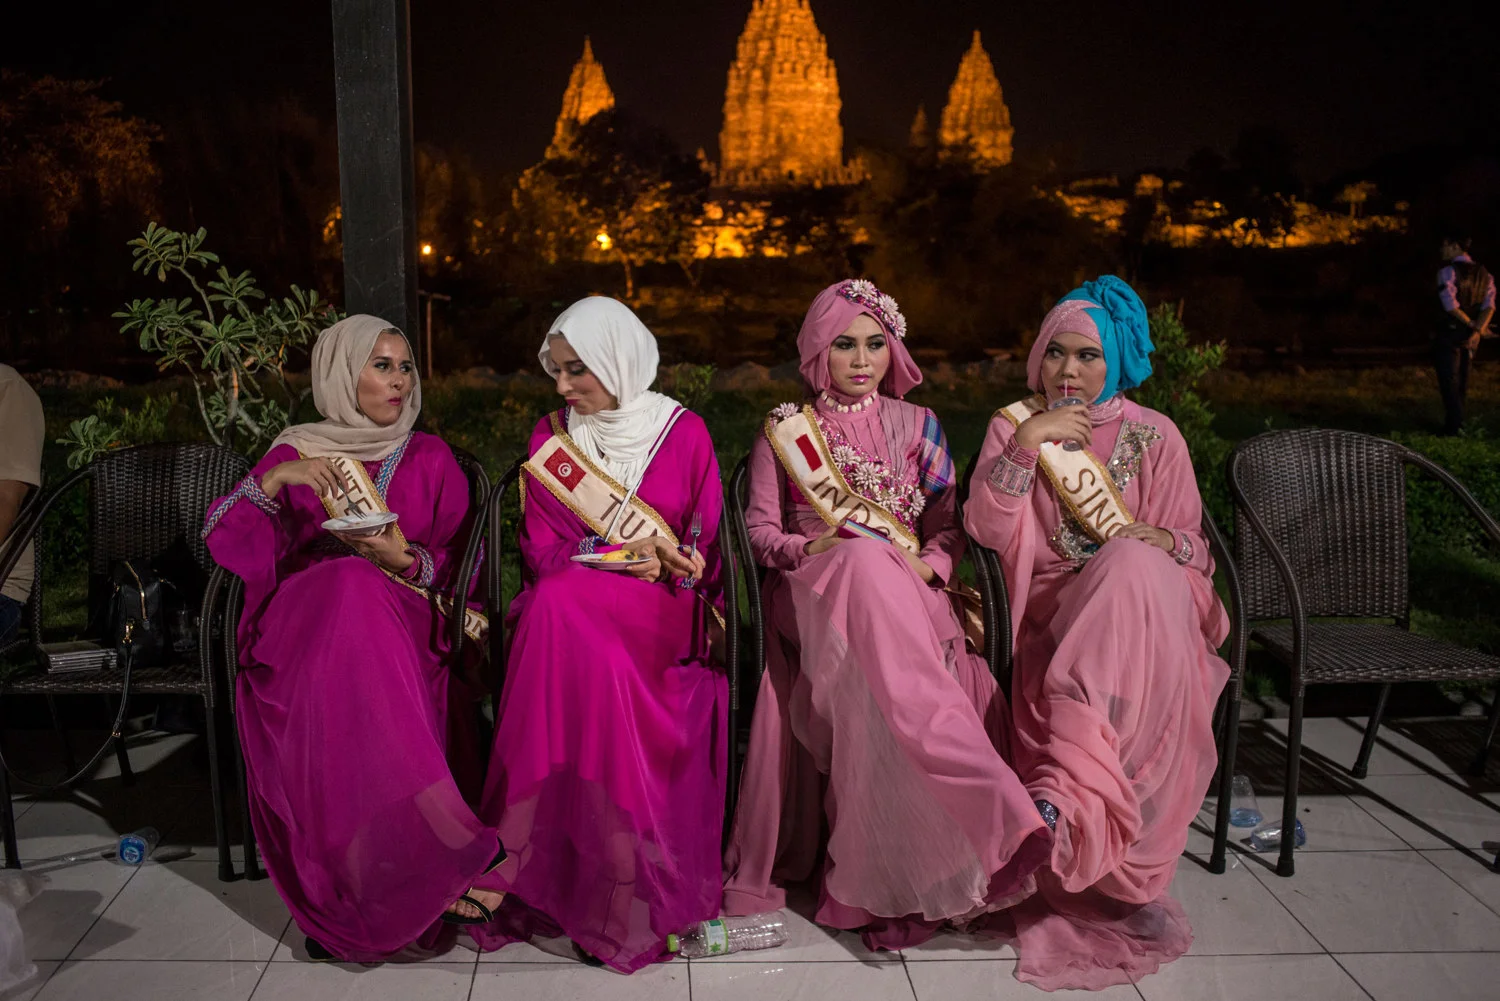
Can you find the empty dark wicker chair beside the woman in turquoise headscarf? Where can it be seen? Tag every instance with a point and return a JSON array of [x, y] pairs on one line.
[[1321, 534]]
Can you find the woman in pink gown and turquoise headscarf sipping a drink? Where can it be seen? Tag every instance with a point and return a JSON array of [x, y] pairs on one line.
[[1115, 670]]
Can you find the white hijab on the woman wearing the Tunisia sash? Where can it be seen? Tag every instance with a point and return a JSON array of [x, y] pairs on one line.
[[622, 352]]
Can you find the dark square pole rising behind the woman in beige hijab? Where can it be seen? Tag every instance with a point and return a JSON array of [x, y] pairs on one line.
[[377, 181]]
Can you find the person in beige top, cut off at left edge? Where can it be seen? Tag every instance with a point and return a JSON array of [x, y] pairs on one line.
[[22, 433]]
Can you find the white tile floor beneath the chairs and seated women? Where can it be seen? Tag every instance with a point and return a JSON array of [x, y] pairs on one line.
[[1391, 903]]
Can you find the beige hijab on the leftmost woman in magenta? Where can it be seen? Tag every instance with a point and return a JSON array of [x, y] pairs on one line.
[[338, 359]]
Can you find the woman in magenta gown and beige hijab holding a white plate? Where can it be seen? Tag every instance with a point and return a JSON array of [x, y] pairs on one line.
[[349, 714]]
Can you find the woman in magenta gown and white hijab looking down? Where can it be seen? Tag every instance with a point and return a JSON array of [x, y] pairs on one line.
[[608, 774]]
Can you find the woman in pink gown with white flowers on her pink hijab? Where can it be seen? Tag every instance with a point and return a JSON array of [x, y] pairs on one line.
[[874, 717]]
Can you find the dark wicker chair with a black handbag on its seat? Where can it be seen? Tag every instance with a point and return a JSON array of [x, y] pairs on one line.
[[145, 502]]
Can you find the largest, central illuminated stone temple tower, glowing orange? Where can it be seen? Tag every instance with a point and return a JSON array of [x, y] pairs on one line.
[[782, 104]]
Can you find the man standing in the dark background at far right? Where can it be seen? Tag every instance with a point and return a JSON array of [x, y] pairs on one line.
[[1468, 295]]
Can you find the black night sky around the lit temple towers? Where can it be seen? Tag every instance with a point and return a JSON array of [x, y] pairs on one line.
[[1099, 85]]
